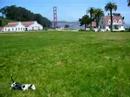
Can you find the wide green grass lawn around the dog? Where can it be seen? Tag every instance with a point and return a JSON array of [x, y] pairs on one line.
[[66, 64]]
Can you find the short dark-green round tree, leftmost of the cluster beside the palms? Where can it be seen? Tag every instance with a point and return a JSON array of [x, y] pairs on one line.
[[85, 20]]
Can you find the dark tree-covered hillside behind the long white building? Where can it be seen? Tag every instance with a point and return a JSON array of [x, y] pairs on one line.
[[21, 14]]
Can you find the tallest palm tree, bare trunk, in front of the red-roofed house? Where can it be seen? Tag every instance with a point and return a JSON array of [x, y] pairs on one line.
[[110, 7]]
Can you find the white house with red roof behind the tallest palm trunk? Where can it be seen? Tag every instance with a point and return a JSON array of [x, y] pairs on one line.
[[118, 23]]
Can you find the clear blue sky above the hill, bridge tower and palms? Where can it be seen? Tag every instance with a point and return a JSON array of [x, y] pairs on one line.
[[68, 10]]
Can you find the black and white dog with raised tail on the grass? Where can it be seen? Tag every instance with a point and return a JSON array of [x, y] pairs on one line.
[[23, 87]]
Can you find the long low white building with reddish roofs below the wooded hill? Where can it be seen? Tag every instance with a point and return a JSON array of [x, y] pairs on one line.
[[21, 26]]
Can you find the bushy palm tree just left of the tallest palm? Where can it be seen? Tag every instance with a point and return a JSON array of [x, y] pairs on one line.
[[98, 14]]
